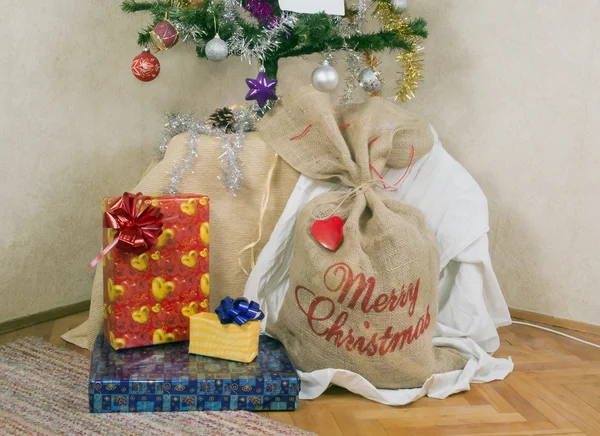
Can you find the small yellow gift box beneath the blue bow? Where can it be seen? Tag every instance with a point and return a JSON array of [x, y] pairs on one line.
[[208, 337]]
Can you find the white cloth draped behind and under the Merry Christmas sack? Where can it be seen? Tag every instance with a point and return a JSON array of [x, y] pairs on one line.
[[471, 305]]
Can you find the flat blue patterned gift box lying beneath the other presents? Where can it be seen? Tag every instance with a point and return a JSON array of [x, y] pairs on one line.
[[166, 378]]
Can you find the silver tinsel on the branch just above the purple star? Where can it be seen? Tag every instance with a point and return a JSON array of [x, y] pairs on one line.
[[265, 43]]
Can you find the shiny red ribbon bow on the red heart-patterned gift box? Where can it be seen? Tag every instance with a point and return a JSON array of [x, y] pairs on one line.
[[138, 225]]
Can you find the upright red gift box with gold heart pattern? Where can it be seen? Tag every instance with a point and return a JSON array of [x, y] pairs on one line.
[[149, 297]]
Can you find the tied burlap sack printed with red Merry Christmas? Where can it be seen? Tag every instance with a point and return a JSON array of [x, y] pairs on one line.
[[370, 306]]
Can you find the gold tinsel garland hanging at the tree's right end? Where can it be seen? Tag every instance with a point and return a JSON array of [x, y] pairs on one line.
[[412, 60]]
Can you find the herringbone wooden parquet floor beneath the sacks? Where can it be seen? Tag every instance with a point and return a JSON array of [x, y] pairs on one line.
[[554, 390]]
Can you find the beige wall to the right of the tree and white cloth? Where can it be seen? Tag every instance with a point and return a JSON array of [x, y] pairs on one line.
[[513, 90]]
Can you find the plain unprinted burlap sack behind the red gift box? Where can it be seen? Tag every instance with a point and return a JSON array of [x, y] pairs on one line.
[[233, 219]]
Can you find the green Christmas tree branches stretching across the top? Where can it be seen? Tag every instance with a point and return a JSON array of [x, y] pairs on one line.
[[311, 33]]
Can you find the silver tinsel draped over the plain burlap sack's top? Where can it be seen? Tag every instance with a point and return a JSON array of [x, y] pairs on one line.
[[231, 146]]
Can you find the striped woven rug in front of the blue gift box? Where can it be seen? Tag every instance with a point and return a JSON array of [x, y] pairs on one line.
[[43, 391]]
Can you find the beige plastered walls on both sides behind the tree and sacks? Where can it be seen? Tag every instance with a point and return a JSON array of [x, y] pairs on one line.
[[512, 88]]
